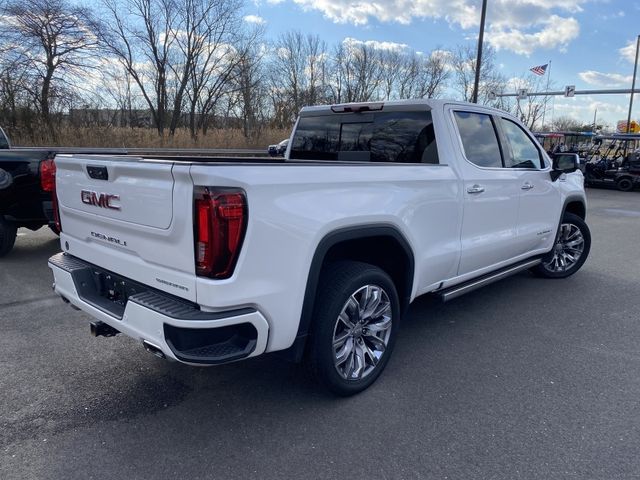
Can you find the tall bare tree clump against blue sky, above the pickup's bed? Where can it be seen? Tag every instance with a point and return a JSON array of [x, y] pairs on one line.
[[177, 52]]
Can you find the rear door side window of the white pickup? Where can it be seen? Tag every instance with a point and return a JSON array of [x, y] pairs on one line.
[[479, 139]]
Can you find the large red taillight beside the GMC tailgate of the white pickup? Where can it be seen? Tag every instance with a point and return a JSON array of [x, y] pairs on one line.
[[220, 222]]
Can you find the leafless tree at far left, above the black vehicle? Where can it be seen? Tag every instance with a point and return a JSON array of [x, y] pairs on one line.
[[53, 41]]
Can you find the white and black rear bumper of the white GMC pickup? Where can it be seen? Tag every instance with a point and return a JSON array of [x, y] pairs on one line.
[[168, 326]]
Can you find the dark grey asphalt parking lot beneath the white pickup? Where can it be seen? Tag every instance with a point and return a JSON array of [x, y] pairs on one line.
[[526, 378]]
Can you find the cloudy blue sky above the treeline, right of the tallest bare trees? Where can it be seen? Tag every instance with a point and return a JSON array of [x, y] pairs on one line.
[[589, 44]]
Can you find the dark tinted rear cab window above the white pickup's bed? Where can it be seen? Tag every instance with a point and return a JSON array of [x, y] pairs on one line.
[[393, 136]]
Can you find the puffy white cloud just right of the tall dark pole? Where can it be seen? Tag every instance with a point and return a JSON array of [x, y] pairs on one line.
[[556, 32]]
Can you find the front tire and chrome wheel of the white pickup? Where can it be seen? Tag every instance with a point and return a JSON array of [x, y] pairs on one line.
[[550, 267]]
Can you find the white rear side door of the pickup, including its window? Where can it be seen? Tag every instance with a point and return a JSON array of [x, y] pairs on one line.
[[491, 193]]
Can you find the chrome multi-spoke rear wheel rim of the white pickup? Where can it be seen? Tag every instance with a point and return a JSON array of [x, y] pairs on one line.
[[362, 332]]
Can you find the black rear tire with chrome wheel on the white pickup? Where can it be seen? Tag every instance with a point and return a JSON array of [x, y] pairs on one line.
[[338, 283]]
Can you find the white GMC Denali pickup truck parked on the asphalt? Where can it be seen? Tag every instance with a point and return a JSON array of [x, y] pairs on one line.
[[318, 255]]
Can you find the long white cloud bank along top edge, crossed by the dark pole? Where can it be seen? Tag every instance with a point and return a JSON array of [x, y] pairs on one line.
[[522, 26]]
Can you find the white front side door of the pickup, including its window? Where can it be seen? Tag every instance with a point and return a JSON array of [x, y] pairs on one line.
[[540, 201]]
